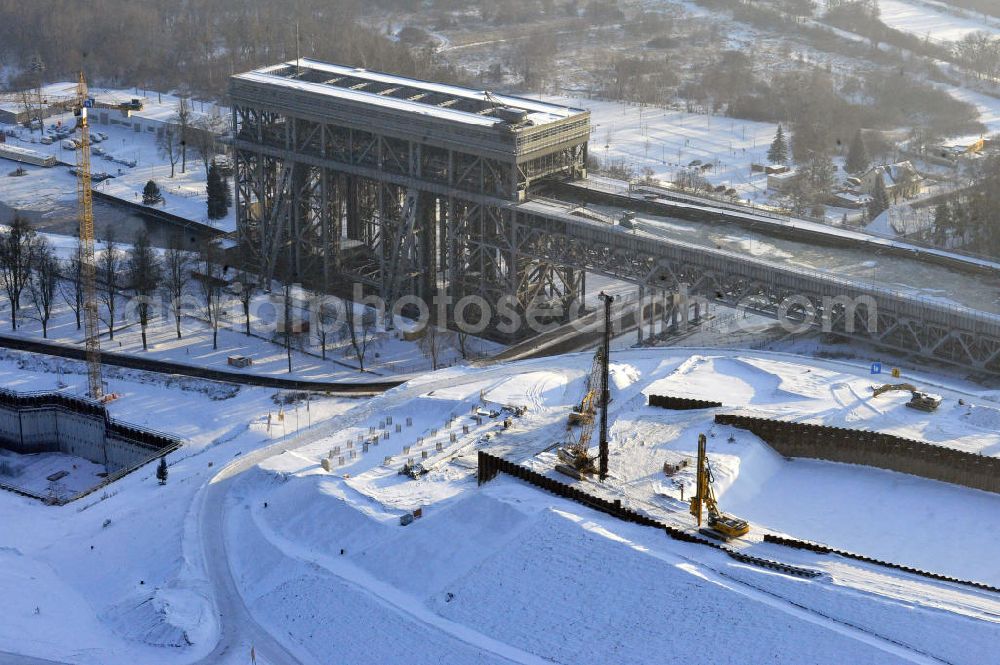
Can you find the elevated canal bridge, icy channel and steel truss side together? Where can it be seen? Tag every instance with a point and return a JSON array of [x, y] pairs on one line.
[[909, 305]]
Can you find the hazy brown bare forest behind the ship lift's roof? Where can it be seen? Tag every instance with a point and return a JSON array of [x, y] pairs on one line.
[[195, 44]]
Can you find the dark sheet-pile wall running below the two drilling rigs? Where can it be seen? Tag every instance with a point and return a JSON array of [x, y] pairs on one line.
[[490, 466]]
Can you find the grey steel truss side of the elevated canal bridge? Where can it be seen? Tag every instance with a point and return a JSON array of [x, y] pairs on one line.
[[824, 301]]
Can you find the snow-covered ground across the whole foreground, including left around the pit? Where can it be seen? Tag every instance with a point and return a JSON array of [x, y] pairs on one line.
[[312, 566]]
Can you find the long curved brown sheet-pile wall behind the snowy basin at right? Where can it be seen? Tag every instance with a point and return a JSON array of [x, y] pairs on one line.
[[876, 449]]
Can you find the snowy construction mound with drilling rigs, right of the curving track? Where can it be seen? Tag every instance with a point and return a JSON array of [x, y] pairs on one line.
[[515, 555]]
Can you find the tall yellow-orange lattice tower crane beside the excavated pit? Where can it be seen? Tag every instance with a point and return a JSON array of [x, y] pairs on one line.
[[88, 269]]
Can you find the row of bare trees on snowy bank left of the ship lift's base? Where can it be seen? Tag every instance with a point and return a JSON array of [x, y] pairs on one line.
[[32, 276]]
